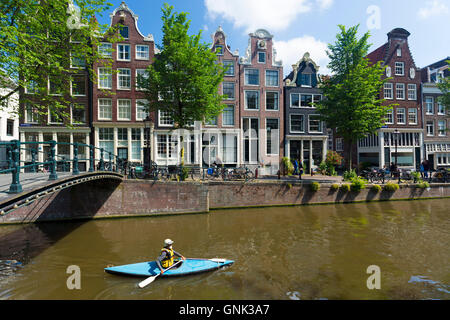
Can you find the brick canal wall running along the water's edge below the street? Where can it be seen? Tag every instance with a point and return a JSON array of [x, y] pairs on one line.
[[108, 199]]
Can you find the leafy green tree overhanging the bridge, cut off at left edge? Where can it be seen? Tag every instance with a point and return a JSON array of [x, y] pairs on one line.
[[43, 43]]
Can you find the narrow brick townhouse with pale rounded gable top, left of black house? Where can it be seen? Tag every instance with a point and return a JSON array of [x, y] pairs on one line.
[[261, 104]]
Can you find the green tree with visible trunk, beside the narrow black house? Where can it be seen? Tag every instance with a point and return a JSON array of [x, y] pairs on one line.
[[352, 105]]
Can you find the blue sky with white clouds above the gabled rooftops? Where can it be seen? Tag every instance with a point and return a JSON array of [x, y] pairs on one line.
[[301, 26]]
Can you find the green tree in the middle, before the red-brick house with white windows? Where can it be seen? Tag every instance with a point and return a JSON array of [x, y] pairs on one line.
[[184, 78]]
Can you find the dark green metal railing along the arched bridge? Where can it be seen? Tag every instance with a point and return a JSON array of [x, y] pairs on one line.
[[15, 164]]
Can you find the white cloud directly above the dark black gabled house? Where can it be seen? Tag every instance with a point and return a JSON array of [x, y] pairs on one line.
[[292, 51]]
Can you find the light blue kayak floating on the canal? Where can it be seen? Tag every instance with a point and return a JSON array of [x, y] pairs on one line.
[[186, 267]]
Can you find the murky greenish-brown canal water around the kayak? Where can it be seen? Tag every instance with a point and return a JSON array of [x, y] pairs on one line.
[[307, 252]]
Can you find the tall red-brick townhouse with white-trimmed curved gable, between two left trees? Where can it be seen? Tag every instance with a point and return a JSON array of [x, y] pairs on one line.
[[117, 103]]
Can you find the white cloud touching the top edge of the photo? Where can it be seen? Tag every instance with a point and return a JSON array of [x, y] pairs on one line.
[[255, 14]]
